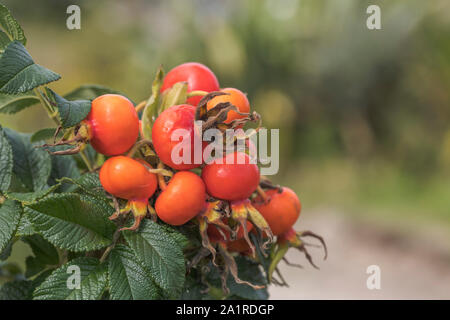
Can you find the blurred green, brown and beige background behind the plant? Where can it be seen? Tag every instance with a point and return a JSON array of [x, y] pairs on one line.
[[364, 116]]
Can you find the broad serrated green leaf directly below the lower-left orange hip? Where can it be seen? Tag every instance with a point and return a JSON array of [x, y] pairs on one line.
[[73, 222]]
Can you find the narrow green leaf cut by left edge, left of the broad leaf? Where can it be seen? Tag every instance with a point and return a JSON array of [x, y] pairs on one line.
[[10, 213]]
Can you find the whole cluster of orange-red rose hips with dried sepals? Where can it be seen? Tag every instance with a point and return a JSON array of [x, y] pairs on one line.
[[227, 200]]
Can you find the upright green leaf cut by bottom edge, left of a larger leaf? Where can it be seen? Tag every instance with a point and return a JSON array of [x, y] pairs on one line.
[[128, 277]]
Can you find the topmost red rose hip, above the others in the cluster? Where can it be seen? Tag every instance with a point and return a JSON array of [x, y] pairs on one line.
[[198, 77]]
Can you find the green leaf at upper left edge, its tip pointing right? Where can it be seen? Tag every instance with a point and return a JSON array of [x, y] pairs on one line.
[[19, 73]]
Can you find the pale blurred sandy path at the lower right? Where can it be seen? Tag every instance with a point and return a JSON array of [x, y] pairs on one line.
[[414, 264]]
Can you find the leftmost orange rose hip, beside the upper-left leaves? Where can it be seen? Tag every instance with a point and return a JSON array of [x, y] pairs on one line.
[[113, 124]]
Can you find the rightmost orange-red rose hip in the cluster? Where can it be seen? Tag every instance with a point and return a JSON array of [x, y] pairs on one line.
[[281, 211]]
